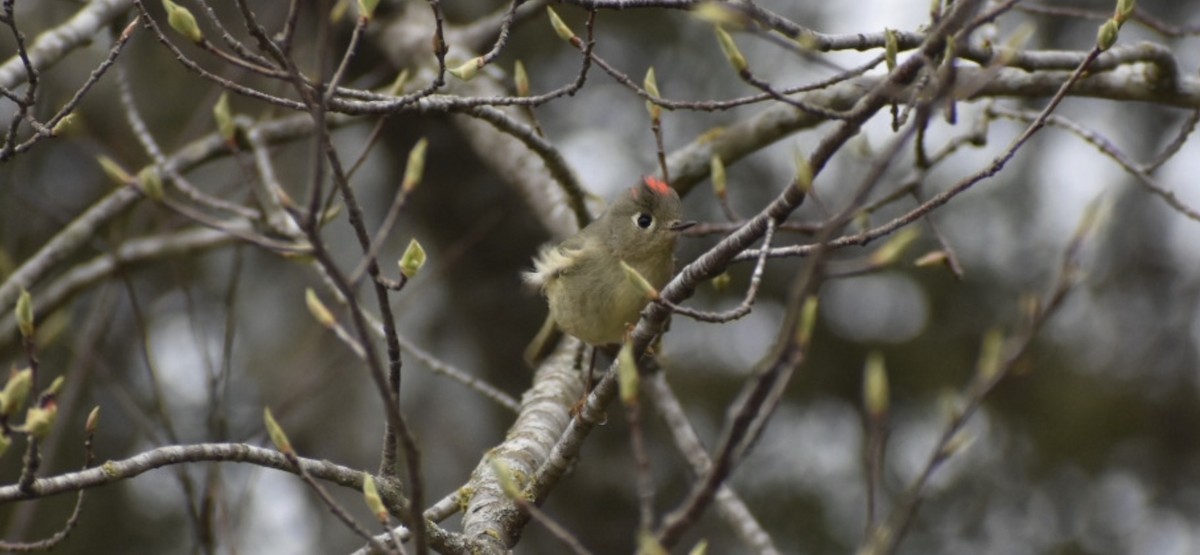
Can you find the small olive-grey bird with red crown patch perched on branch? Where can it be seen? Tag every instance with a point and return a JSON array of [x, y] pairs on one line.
[[591, 297]]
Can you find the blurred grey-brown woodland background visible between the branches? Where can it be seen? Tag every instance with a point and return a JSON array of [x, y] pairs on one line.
[[1091, 447]]
